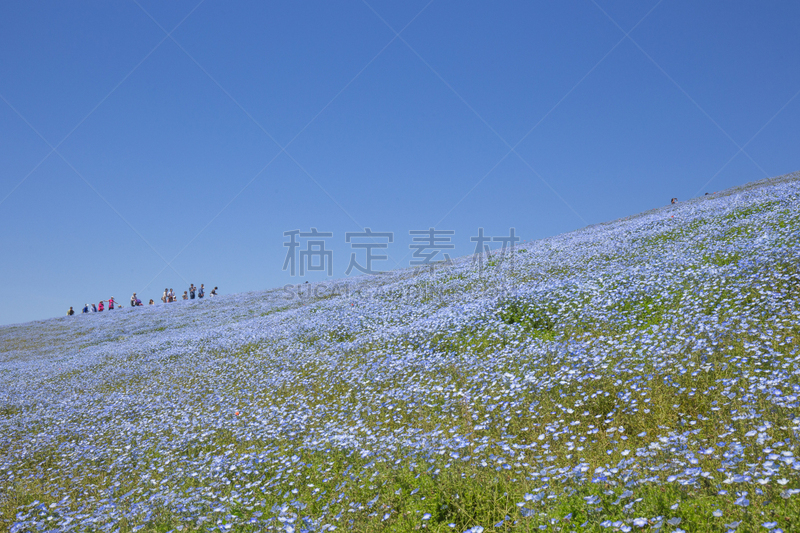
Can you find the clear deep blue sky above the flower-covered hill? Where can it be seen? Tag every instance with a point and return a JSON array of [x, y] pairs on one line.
[[200, 148]]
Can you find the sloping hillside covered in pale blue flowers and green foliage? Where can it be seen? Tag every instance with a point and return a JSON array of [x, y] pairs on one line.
[[641, 374]]
